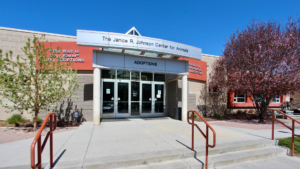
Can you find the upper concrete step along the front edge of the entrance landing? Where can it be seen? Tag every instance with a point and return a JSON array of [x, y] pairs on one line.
[[150, 158]]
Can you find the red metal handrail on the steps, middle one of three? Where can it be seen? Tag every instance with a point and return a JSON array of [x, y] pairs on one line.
[[205, 136]]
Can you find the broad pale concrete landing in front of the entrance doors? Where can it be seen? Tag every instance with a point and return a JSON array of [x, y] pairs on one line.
[[121, 138]]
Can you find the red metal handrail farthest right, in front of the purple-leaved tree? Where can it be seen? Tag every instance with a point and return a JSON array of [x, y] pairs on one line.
[[293, 126]]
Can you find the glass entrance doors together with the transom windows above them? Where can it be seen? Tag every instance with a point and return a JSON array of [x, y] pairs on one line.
[[130, 93]]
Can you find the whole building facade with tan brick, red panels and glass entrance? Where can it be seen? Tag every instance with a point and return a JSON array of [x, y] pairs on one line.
[[129, 75]]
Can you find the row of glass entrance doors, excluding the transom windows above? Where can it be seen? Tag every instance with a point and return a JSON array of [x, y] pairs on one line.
[[125, 98]]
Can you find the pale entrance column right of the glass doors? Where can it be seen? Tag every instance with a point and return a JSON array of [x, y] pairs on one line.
[[184, 98]]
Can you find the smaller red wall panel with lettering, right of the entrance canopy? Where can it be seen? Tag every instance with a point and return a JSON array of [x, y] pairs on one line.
[[197, 69]]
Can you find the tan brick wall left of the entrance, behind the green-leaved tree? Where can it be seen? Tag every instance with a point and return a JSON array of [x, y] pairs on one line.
[[14, 40]]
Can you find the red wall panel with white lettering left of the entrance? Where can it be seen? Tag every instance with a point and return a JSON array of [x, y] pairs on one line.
[[82, 56]]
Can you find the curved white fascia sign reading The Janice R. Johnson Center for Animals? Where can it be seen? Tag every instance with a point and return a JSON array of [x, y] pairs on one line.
[[117, 40]]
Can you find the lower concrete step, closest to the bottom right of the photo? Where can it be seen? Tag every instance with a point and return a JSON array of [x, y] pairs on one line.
[[226, 161]]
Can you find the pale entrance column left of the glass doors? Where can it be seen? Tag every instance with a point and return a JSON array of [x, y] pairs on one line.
[[96, 95]]
